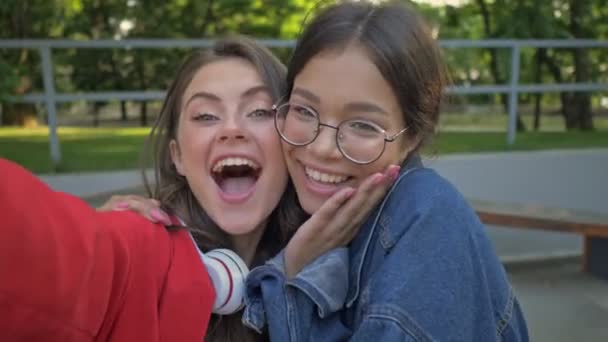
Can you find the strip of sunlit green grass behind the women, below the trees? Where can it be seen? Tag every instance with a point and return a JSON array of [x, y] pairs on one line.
[[97, 149]]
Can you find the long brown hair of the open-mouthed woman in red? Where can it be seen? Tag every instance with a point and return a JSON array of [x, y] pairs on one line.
[[173, 191]]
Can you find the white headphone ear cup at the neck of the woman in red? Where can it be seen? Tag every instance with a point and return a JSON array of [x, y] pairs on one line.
[[228, 273]]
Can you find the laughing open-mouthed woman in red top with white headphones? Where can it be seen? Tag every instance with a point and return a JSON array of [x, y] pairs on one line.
[[69, 273]]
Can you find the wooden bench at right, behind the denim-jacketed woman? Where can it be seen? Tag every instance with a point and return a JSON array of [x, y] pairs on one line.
[[592, 226]]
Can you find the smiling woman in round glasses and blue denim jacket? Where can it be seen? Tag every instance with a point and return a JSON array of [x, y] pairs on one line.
[[364, 86]]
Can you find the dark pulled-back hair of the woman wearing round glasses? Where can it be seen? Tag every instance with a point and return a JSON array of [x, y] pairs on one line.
[[398, 42]]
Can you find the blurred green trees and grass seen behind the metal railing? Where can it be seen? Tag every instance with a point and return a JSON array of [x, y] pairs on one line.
[[471, 122]]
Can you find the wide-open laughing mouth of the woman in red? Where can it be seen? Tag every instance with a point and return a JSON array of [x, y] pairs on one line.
[[236, 176]]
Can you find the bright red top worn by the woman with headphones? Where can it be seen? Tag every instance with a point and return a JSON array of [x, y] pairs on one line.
[[69, 273]]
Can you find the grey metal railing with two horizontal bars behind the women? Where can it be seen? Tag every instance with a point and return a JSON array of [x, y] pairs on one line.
[[512, 88]]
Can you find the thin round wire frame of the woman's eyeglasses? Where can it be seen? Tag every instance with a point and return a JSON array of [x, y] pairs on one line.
[[275, 108]]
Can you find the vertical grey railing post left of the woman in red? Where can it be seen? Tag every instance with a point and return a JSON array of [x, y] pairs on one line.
[[49, 98]]
